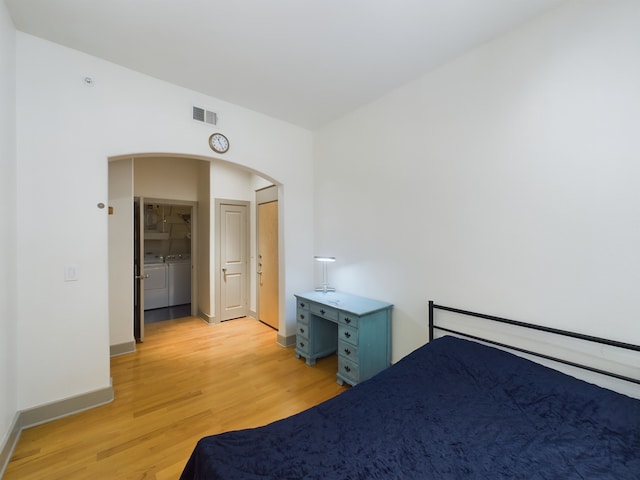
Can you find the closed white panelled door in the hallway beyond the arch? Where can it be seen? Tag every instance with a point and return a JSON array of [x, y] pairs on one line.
[[233, 279]]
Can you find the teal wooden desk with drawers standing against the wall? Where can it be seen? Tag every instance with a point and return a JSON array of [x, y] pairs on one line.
[[358, 328]]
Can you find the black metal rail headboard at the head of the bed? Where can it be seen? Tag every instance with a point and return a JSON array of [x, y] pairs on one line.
[[556, 331]]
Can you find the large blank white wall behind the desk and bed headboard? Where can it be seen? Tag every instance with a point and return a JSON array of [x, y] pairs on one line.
[[504, 182]]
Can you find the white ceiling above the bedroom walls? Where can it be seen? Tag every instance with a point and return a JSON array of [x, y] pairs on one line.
[[306, 62]]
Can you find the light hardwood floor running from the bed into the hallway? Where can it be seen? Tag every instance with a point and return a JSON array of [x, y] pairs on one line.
[[187, 380]]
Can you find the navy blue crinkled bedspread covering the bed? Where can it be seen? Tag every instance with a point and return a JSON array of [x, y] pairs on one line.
[[453, 409]]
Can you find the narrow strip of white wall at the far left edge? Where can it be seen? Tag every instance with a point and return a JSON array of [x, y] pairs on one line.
[[8, 306]]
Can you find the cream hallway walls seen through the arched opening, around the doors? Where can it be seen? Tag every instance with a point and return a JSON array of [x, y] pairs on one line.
[[204, 180]]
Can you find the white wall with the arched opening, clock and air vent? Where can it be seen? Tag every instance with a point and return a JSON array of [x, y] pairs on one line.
[[66, 131]]
